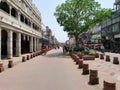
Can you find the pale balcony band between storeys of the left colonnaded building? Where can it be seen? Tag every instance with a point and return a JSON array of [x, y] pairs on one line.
[[6, 18]]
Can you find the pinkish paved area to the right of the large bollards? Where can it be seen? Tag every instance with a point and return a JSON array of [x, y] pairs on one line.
[[107, 70]]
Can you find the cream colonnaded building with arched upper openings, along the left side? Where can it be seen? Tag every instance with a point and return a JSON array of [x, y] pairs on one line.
[[20, 28]]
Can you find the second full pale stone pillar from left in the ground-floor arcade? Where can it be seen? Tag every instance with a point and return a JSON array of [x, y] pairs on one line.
[[18, 45]]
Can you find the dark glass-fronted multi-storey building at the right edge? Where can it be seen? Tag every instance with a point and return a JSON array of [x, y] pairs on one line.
[[110, 32]]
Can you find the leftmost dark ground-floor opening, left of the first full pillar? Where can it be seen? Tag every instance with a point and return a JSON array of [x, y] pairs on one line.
[[4, 36]]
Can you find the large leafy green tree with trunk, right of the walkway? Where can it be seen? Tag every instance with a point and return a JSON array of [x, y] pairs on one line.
[[78, 16]]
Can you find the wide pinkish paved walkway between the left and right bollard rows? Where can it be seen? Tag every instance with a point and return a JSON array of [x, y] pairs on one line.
[[51, 72]]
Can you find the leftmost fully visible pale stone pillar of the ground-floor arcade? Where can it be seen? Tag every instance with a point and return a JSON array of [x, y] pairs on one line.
[[9, 45]]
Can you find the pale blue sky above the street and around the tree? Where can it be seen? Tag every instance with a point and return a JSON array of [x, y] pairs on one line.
[[47, 9]]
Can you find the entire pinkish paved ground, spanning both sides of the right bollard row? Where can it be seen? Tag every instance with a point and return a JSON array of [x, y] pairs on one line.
[[55, 71]]
